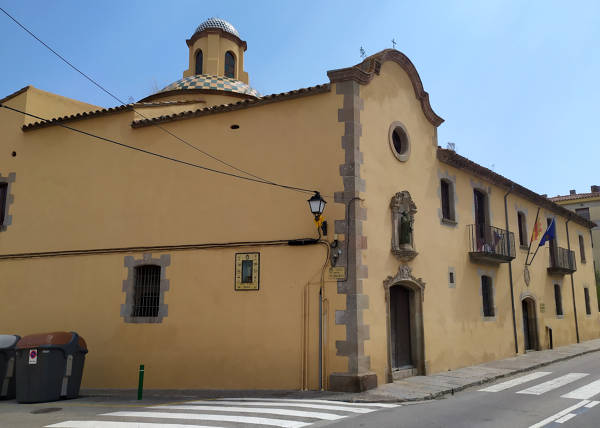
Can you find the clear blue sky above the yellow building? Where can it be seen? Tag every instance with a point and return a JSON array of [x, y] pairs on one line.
[[516, 81]]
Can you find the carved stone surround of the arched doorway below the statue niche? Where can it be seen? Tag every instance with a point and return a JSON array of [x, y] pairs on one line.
[[416, 289]]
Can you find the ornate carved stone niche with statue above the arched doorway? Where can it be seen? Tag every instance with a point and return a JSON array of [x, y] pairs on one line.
[[403, 217]]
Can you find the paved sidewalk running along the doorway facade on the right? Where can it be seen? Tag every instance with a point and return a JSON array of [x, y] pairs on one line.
[[420, 388]]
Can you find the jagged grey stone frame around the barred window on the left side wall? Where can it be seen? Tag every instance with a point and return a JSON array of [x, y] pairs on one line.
[[129, 288]]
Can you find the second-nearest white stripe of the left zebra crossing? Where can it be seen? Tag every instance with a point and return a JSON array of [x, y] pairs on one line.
[[211, 417]]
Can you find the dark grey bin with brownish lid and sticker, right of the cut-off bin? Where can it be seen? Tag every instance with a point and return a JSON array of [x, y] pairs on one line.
[[49, 366]]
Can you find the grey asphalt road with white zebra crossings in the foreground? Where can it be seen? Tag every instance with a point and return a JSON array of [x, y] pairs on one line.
[[565, 394]]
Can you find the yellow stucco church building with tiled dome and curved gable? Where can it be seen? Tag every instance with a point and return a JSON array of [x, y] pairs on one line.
[[213, 281]]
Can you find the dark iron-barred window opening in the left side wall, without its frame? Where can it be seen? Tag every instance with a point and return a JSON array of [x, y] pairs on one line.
[[146, 299]]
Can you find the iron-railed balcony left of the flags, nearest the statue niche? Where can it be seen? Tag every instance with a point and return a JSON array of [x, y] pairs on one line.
[[490, 244]]
